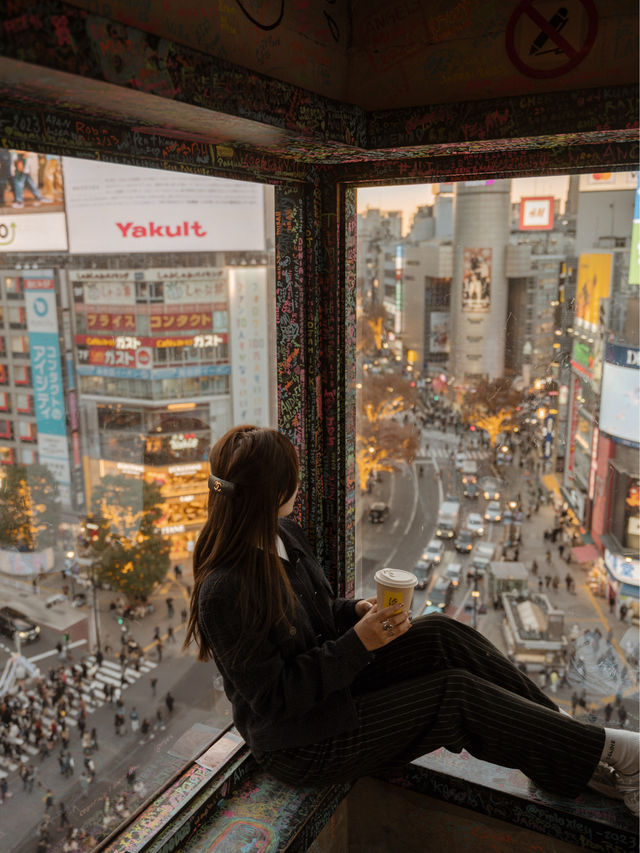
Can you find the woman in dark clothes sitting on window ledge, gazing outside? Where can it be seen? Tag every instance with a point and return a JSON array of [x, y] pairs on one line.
[[328, 689]]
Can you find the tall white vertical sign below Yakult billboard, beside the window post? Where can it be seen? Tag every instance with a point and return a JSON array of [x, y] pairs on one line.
[[249, 345]]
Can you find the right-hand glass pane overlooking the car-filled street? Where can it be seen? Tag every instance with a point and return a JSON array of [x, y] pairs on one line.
[[498, 423]]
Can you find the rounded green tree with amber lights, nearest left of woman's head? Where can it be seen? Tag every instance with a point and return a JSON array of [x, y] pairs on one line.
[[128, 551]]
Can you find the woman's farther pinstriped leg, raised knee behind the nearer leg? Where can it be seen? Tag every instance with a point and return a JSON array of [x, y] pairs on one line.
[[435, 643]]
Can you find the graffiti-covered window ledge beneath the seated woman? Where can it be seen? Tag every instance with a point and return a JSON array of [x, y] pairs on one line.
[[441, 801]]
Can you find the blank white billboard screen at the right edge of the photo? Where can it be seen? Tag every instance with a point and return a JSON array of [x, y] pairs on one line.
[[620, 402]]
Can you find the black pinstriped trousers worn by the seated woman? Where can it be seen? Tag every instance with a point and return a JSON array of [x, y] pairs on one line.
[[442, 684]]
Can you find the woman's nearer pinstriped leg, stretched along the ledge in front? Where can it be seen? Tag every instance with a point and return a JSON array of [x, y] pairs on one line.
[[459, 710]]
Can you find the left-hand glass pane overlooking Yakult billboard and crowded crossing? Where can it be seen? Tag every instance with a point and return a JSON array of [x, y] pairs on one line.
[[138, 325]]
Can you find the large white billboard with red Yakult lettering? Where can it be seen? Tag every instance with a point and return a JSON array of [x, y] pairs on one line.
[[113, 208]]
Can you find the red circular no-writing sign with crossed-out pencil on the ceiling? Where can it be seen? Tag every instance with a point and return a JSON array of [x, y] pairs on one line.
[[544, 37]]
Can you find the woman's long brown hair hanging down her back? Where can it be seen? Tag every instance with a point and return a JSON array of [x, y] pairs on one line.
[[242, 528]]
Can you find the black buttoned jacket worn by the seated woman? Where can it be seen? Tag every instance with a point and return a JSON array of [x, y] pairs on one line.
[[294, 690]]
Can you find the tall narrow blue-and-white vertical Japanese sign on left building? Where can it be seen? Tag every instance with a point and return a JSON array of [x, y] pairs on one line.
[[46, 371]]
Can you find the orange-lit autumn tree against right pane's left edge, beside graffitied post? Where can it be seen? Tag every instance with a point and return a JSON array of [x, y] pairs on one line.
[[381, 442]]
